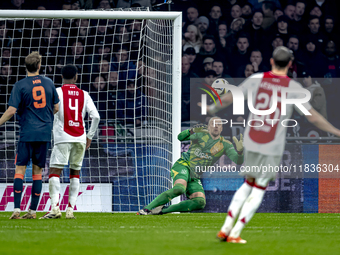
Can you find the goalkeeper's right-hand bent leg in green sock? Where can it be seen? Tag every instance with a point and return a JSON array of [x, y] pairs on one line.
[[196, 199]]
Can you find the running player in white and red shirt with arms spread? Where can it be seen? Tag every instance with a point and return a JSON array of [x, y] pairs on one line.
[[264, 145]]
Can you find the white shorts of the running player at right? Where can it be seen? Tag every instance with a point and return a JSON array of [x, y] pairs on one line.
[[262, 167]]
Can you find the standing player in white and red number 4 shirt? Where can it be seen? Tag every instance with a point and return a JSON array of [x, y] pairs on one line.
[[70, 139]]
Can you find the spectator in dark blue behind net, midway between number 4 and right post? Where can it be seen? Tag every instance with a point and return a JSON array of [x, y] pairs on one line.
[[131, 105]]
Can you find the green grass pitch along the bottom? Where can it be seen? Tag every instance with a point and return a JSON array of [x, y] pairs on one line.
[[184, 234]]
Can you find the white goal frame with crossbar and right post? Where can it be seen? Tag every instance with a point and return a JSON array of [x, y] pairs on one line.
[[100, 14]]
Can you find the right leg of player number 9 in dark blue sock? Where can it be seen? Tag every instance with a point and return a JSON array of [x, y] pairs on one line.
[[39, 151]]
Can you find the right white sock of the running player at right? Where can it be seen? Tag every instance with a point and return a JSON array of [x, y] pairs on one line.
[[249, 208]]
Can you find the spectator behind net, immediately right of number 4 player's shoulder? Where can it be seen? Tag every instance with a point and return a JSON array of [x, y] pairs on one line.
[[103, 98]]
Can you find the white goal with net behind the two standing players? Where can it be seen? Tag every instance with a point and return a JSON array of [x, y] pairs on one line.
[[129, 62]]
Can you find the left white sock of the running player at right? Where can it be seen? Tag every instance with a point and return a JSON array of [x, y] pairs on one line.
[[235, 206]]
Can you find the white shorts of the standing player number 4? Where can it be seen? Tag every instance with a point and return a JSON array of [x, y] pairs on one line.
[[63, 153]]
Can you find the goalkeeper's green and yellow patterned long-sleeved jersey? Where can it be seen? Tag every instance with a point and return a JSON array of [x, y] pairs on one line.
[[205, 151]]
